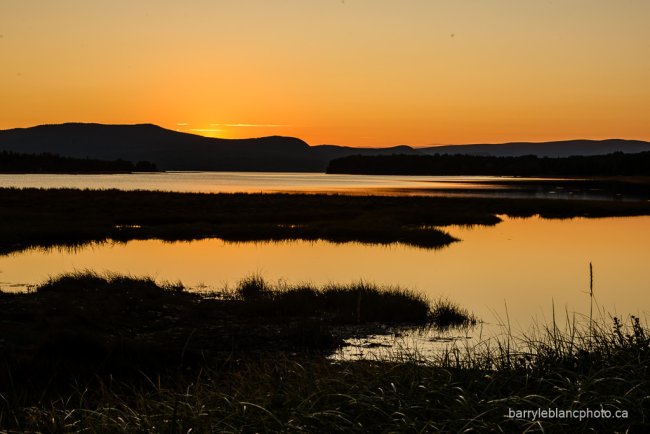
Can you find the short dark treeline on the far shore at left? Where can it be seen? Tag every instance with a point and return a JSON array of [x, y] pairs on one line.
[[11, 162]]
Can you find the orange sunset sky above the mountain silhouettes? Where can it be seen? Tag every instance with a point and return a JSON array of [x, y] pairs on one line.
[[347, 72]]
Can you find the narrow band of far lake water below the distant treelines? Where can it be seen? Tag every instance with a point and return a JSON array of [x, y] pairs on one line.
[[256, 182]]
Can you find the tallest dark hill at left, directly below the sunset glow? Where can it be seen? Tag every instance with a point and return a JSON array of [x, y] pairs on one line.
[[169, 150]]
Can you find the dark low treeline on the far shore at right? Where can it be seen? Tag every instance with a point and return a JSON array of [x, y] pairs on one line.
[[615, 164]]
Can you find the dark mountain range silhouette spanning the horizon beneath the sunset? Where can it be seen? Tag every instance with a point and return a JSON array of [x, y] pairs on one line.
[[173, 150]]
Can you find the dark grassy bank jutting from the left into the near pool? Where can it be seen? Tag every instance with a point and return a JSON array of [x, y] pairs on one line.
[[83, 324]]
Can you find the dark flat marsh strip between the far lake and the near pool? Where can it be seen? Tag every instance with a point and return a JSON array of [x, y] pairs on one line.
[[33, 217]]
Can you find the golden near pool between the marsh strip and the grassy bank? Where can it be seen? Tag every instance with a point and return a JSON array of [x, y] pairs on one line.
[[513, 272]]
